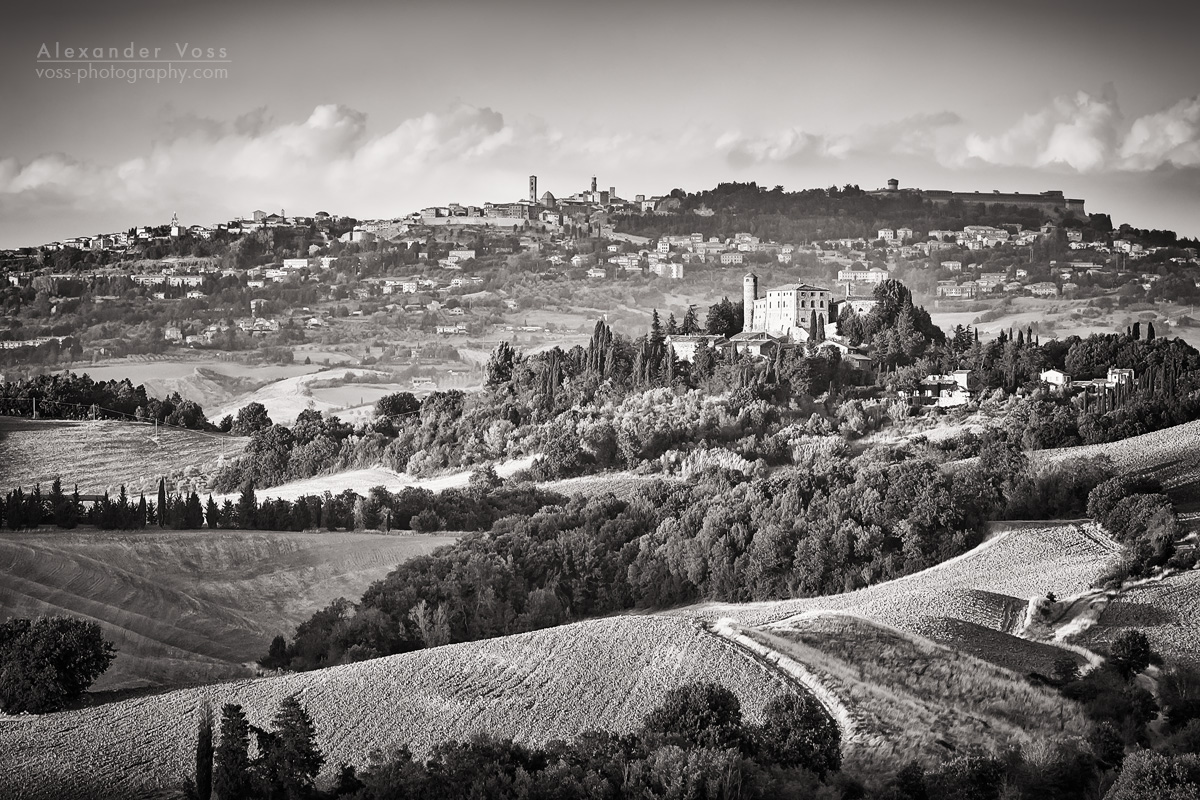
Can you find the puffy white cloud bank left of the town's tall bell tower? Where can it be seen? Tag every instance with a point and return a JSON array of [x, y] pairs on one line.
[[329, 159]]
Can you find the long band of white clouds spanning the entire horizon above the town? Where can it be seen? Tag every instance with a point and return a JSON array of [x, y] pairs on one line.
[[209, 170]]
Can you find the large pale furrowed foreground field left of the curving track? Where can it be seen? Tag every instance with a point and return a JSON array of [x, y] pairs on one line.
[[554, 684]]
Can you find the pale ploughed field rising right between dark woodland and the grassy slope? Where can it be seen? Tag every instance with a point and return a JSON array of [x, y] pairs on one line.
[[974, 603]]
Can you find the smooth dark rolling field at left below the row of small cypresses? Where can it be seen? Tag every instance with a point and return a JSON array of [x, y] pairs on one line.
[[184, 607]]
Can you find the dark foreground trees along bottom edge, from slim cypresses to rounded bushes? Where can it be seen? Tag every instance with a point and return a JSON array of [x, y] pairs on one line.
[[698, 738]]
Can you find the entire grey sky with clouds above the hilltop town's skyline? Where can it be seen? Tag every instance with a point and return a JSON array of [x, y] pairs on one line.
[[376, 110]]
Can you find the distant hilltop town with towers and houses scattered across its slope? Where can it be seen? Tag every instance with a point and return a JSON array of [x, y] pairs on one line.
[[464, 273]]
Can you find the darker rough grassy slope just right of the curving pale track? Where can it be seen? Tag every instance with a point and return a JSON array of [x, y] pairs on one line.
[[910, 699]]
